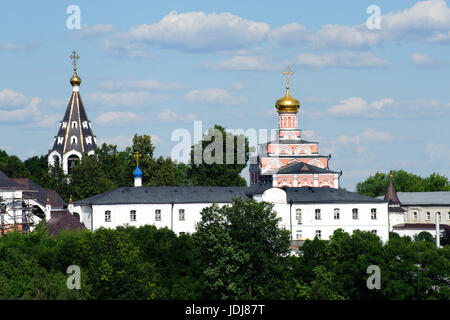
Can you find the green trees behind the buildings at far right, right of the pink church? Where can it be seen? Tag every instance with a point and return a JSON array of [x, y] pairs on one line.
[[403, 181]]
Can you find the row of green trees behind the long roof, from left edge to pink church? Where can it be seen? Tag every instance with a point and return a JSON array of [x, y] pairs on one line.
[[110, 168]]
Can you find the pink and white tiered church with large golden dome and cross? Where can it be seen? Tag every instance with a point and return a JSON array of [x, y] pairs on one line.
[[290, 161]]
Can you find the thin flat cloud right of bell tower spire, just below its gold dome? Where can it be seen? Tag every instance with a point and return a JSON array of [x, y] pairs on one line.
[[124, 99]]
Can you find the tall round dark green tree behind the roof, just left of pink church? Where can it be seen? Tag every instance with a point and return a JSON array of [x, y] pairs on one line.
[[210, 159]]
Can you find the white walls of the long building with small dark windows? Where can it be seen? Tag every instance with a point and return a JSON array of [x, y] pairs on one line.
[[145, 214]]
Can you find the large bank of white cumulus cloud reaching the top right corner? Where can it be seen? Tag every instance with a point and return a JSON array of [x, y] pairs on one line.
[[426, 21]]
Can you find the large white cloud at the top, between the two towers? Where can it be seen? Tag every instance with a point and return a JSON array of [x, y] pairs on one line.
[[193, 31]]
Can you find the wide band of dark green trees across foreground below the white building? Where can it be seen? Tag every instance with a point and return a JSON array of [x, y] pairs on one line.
[[237, 252]]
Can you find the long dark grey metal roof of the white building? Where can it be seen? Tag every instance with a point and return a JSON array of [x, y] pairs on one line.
[[190, 194]]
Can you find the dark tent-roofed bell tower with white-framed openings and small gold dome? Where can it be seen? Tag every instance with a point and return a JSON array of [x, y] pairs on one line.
[[75, 135]]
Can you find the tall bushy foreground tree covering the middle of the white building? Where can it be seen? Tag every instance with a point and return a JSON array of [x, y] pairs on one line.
[[242, 250]]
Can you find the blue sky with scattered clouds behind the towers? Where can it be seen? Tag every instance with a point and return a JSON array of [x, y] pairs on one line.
[[375, 99]]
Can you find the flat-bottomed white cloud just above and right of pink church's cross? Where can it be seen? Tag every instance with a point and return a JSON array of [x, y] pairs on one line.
[[345, 59]]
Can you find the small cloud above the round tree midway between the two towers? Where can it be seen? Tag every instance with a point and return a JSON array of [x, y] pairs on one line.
[[213, 96]]
